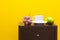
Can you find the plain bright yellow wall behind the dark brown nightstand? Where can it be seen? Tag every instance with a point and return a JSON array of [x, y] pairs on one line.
[[12, 10]]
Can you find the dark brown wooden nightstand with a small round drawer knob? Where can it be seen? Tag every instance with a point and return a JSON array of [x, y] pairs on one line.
[[38, 32]]
